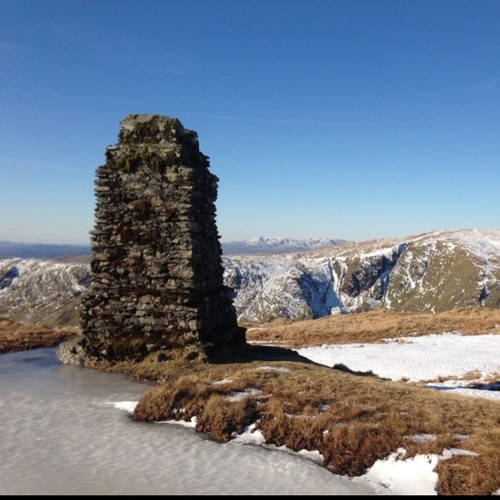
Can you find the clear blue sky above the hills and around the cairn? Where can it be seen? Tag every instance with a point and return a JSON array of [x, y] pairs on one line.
[[350, 119]]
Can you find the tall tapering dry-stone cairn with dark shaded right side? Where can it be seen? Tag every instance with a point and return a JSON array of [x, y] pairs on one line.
[[157, 276]]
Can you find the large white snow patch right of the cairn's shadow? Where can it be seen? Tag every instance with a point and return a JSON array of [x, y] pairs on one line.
[[425, 358]]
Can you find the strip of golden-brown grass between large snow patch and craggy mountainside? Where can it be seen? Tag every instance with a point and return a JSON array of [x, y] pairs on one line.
[[373, 326]]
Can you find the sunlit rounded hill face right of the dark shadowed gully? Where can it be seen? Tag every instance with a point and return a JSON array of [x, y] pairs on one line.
[[438, 270]]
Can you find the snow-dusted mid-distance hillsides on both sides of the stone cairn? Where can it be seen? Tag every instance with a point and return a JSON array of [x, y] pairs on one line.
[[431, 272]]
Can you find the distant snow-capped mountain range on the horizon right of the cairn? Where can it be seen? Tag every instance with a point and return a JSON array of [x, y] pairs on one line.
[[276, 245]]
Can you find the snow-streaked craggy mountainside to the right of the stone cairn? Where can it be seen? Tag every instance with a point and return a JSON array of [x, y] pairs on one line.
[[431, 272]]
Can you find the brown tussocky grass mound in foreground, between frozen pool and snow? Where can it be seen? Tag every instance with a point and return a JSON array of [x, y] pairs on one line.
[[351, 420]]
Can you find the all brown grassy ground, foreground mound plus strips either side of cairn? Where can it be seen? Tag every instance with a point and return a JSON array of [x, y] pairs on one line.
[[352, 419]]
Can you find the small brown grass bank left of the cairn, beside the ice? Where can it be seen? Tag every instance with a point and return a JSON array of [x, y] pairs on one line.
[[23, 336]]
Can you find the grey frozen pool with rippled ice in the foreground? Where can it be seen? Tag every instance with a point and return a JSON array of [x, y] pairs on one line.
[[59, 434]]
